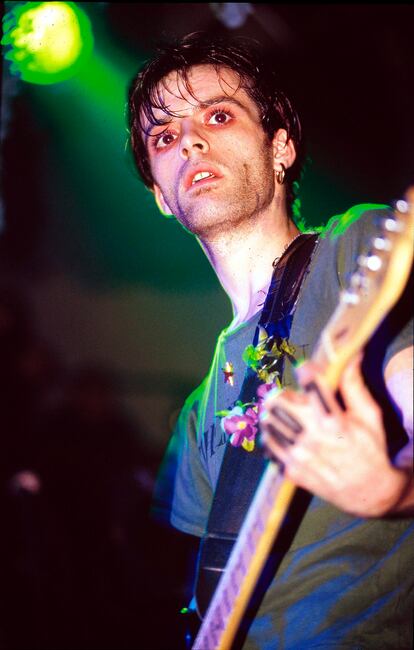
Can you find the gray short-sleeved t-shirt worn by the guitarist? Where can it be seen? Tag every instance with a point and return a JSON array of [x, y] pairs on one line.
[[344, 581]]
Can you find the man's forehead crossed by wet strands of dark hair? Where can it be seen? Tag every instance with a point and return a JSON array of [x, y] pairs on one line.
[[203, 83]]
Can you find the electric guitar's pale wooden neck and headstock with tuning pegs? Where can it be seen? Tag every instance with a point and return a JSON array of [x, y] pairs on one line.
[[373, 290]]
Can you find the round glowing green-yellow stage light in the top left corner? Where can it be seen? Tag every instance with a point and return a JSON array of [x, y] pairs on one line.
[[48, 41]]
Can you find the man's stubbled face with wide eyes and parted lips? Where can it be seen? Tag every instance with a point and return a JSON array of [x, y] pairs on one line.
[[212, 164]]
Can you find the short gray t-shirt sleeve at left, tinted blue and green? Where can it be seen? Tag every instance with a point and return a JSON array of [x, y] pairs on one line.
[[183, 493]]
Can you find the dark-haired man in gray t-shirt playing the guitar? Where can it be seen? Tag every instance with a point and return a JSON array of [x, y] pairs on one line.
[[220, 146]]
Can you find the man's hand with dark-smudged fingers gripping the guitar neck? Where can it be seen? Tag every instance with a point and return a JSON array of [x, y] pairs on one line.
[[339, 454]]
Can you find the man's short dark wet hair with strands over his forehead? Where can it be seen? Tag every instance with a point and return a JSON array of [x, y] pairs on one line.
[[257, 78]]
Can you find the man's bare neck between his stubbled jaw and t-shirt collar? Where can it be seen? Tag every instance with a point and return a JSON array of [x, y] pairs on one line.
[[242, 259]]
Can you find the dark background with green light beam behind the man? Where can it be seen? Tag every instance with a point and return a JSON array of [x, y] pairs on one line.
[[109, 312]]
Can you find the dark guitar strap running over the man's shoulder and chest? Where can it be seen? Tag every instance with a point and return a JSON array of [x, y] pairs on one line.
[[241, 470]]
